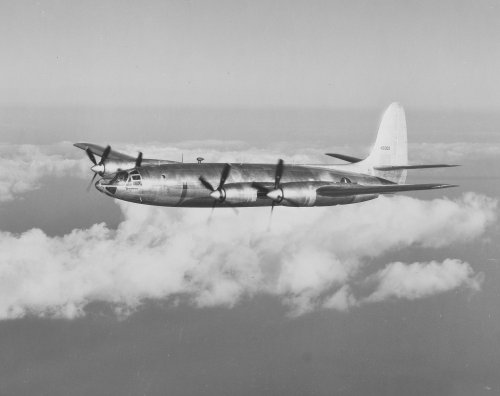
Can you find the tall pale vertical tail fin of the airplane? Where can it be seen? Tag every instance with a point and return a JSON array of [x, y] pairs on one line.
[[391, 146]]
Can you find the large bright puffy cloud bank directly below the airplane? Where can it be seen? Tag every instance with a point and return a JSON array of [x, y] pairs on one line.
[[310, 259]]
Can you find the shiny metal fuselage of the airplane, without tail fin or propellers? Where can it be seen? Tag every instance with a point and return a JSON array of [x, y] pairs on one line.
[[179, 185]]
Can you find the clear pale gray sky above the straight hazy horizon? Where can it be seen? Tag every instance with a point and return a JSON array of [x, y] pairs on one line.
[[251, 53]]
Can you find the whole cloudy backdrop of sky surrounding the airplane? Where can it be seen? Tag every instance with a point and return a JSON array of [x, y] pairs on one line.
[[393, 296]]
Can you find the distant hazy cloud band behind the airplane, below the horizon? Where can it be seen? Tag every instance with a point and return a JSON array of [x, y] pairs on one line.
[[24, 166]]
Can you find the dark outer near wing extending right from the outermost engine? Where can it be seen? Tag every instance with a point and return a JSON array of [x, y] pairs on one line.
[[343, 190]]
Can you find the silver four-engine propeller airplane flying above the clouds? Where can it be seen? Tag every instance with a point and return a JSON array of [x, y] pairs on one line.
[[170, 183]]
